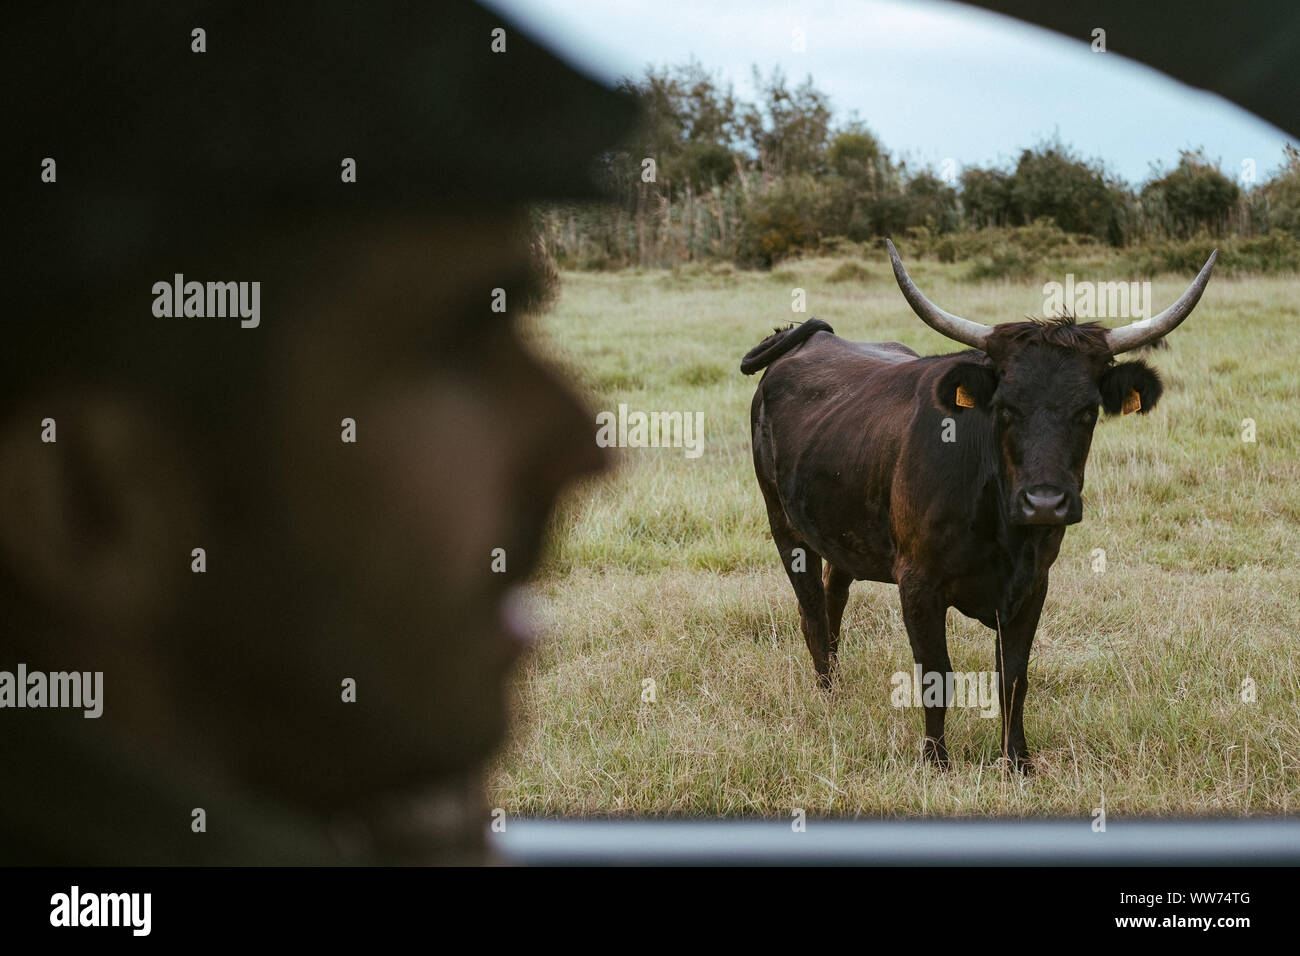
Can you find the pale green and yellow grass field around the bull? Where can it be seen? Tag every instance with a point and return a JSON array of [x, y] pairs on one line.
[[666, 572]]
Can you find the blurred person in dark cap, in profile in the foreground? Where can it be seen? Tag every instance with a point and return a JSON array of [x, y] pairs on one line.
[[327, 678]]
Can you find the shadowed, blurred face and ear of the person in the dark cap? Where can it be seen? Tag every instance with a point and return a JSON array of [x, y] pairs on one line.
[[370, 561]]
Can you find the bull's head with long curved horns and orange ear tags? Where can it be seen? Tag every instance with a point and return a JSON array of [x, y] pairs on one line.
[[1043, 383]]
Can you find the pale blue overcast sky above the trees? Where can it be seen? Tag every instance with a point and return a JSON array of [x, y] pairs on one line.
[[934, 80]]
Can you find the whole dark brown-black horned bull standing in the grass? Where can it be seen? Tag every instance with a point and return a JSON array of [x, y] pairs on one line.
[[952, 477]]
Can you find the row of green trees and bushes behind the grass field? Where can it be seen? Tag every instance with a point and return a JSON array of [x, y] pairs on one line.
[[710, 178]]
